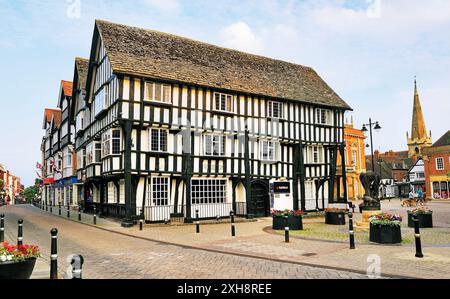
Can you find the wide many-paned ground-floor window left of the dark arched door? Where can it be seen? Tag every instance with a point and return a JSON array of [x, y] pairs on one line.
[[208, 191]]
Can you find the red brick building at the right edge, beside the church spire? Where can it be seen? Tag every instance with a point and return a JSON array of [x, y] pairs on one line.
[[437, 167]]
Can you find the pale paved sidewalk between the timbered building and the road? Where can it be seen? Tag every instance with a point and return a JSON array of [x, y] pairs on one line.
[[255, 240]]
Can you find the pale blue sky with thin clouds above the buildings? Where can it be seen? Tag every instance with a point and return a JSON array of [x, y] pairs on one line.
[[368, 51]]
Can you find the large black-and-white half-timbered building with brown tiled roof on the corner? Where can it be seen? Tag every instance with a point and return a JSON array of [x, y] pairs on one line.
[[173, 126]]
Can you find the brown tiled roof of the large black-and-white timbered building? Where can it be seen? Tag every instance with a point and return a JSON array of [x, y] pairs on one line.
[[158, 55]]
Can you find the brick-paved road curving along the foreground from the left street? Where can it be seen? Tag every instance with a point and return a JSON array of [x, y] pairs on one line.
[[112, 255]]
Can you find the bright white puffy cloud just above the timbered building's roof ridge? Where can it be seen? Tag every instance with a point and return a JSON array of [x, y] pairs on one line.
[[240, 36]]
